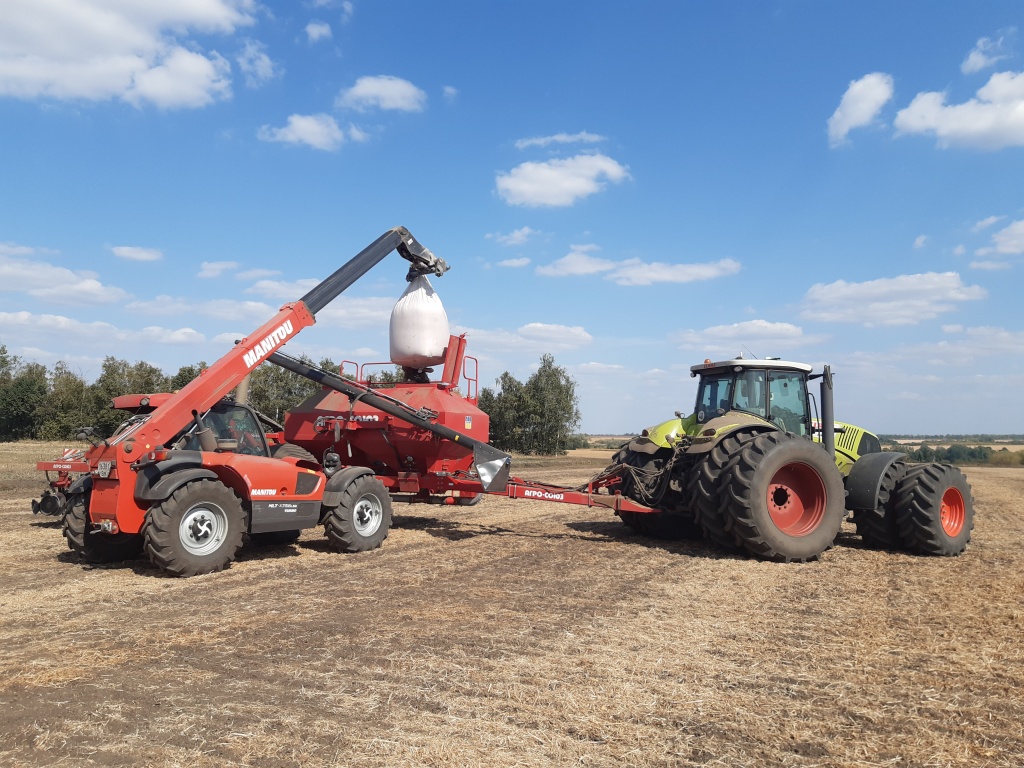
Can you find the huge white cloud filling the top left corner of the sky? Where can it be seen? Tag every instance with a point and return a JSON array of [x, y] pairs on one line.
[[100, 51]]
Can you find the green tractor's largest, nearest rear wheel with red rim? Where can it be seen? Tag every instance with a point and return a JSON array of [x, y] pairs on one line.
[[784, 498]]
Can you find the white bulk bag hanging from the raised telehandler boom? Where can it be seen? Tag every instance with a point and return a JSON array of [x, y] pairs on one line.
[[419, 327]]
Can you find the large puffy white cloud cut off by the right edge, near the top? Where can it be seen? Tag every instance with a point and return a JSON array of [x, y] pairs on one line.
[[994, 120]]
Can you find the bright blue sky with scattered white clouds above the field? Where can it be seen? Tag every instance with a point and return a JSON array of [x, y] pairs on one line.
[[631, 188]]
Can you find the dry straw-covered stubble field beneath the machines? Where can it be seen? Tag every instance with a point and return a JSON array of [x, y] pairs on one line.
[[514, 633]]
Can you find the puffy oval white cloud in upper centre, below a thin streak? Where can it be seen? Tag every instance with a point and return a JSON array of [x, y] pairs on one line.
[[559, 183]]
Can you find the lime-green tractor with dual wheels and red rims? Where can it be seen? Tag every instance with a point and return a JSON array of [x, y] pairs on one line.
[[753, 471]]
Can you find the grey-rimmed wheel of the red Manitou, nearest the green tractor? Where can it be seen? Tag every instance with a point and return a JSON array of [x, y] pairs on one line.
[[363, 518]]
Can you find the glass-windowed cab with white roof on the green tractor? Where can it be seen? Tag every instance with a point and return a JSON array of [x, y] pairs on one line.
[[772, 390]]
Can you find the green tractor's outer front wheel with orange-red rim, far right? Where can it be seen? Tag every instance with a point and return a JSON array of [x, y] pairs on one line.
[[934, 510]]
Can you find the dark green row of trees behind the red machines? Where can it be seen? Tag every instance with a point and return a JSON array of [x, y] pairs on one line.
[[537, 417]]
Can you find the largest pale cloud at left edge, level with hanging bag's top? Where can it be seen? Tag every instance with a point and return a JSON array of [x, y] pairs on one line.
[[56, 285]]
